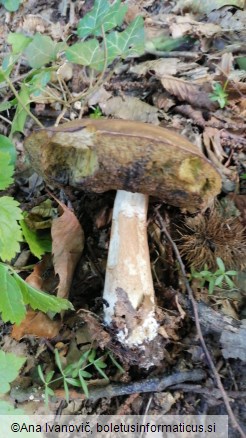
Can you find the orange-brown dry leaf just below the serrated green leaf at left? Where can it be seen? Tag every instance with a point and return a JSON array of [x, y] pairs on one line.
[[36, 324]]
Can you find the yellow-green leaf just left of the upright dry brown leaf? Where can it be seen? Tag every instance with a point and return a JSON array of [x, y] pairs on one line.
[[39, 241]]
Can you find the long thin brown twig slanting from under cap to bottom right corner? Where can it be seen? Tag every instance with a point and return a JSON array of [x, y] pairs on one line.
[[233, 419]]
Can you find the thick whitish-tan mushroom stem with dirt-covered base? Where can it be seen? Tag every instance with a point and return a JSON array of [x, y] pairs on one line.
[[128, 290]]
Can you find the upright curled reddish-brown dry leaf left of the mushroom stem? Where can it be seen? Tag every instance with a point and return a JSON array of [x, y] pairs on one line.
[[67, 246]]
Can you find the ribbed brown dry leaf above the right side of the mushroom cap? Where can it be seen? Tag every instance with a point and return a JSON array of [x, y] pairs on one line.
[[188, 92]]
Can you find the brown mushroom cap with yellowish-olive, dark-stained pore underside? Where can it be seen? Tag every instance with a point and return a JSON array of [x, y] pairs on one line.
[[101, 155]]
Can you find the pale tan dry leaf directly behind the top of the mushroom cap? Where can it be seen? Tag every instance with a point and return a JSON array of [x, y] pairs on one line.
[[130, 108]]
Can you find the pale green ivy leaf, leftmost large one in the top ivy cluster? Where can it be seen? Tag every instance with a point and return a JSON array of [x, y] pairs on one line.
[[40, 51]]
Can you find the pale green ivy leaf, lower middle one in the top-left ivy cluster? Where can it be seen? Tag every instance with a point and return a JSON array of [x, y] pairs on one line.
[[83, 53]]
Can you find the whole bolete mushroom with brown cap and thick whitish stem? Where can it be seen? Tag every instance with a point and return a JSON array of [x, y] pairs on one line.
[[138, 160]]
